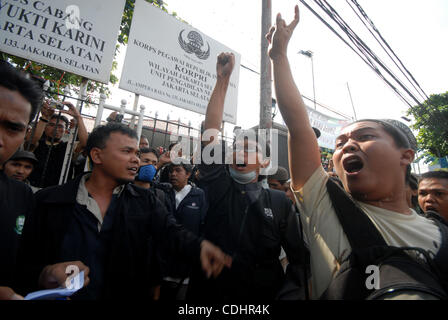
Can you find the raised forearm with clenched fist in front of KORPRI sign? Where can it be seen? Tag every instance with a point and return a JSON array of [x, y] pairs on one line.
[[215, 108]]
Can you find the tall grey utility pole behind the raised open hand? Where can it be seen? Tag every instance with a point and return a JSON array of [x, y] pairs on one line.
[[265, 69]]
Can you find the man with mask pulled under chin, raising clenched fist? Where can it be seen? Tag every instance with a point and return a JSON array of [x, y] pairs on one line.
[[247, 221]]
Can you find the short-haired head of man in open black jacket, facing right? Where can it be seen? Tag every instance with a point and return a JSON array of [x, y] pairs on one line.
[[113, 151]]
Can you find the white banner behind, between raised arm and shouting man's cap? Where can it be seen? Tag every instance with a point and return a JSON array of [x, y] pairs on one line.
[[329, 127]]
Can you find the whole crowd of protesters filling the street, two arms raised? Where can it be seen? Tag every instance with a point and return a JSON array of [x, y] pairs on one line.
[[154, 223]]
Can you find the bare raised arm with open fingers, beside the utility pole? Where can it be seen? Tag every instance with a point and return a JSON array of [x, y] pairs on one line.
[[304, 155]]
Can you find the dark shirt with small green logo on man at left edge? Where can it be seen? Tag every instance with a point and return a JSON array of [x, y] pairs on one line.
[[16, 201]]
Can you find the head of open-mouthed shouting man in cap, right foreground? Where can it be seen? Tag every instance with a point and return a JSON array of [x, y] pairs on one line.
[[372, 158]]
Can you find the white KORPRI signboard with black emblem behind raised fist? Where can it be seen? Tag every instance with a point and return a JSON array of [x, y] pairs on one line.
[[170, 61]]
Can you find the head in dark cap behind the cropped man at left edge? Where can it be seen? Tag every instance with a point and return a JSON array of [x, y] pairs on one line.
[[20, 165]]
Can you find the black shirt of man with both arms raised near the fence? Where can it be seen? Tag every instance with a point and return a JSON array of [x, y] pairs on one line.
[[54, 165]]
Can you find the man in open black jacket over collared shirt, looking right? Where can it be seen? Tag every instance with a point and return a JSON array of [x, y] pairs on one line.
[[105, 226]]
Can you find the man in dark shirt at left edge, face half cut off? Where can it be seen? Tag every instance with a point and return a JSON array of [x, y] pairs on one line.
[[19, 100]]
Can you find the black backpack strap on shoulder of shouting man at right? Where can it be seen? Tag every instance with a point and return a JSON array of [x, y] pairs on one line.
[[360, 231]]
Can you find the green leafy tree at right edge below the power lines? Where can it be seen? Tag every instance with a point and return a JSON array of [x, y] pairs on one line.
[[431, 122]]
